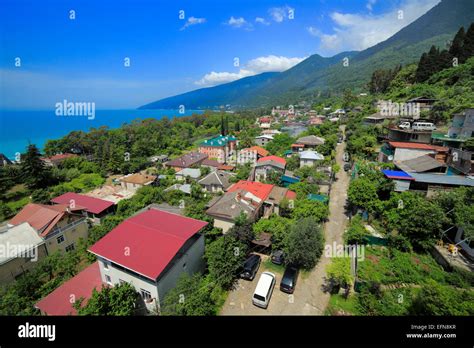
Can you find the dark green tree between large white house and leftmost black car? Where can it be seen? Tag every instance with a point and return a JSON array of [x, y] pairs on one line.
[[224, 257]]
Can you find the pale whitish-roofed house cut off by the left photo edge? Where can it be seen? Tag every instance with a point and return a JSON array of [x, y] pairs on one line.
[[22, 249]]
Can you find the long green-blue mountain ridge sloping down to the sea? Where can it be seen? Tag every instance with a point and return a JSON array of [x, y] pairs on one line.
[[316, 73]]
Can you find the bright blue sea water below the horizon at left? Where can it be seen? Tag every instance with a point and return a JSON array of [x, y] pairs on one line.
[[19, 128]]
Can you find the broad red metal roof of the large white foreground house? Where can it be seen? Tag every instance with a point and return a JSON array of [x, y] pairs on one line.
[[147, 242]]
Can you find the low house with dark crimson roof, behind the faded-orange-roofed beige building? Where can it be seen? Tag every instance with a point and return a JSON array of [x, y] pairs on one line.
[[95, 208]]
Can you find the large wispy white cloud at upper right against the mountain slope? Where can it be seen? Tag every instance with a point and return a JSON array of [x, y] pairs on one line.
[[353, 31]]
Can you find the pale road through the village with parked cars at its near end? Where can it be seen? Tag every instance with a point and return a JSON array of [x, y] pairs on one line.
[[309, 297]]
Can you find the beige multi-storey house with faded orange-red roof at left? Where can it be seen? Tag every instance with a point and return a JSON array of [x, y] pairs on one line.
[[61, 225]]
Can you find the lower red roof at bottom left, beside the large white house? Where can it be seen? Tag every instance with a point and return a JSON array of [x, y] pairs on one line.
[[59, 301]]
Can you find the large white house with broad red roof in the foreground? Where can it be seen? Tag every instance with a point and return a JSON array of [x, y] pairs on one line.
[[150, 251]]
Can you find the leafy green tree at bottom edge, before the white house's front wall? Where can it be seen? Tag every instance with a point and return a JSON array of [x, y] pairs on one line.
[[119, 300]]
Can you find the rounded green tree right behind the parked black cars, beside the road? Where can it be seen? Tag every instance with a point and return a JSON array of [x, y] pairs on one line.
[[305, 243]]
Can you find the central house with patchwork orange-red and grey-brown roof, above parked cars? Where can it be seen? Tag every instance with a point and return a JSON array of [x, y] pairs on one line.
[[254, 199]]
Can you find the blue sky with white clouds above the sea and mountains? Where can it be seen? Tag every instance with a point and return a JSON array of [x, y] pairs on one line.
[[124, 53]]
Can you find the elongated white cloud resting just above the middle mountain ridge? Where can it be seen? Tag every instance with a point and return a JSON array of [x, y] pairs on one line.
[[253, 67]]
